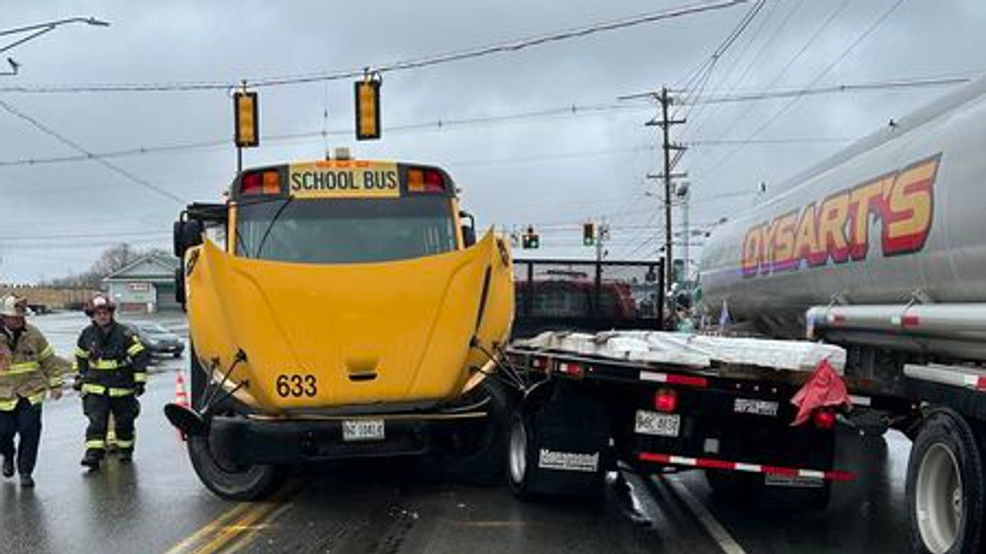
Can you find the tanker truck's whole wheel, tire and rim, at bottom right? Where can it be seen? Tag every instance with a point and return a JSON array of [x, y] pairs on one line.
[[944, 486]]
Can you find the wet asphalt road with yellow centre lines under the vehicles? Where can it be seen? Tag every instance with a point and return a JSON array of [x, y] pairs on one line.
[[157, 504]]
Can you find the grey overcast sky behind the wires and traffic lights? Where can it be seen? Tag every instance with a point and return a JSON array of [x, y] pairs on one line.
[[553, 172]]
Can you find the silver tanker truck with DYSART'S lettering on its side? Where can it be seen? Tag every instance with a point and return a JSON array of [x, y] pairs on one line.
[[881, 249]]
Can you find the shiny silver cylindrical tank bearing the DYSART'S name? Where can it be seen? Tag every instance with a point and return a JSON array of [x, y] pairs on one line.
[[898, 219]]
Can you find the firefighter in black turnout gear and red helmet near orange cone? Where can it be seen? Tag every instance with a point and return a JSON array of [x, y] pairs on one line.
[[112, 366]]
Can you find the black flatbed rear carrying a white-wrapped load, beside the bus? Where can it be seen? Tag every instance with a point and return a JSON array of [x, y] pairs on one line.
[[656, 401]]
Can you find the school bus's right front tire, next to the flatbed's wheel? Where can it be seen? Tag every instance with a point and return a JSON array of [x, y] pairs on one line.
[[482, 463]]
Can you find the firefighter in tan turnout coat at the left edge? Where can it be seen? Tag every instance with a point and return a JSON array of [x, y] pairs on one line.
[[28, 369]]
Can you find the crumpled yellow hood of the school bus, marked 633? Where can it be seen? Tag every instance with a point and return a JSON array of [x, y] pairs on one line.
[[324, 336]]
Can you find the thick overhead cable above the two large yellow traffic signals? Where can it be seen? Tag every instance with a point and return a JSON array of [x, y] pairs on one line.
[[448, 57]]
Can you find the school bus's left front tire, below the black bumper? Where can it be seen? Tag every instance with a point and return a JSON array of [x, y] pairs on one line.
[[229, 480]]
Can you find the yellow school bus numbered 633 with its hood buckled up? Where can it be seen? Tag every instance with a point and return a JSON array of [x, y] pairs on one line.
[[340, 309]]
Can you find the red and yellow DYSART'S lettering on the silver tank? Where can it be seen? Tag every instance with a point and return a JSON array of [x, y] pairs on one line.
[[837, 228]]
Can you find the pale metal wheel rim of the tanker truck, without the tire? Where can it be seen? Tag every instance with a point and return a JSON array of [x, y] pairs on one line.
[[939, 499]]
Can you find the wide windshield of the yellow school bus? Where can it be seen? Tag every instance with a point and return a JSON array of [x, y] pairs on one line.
[[345, 230]]
